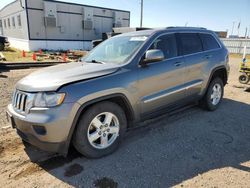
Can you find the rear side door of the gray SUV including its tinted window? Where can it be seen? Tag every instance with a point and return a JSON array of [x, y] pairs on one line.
[[195, 61]]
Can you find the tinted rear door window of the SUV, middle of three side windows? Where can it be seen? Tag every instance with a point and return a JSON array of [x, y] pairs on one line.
[[190, 42]]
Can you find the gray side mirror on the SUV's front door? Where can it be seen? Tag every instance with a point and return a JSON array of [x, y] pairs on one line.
[[153, 56]]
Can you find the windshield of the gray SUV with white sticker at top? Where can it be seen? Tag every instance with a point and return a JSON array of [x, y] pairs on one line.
[[115, 50]]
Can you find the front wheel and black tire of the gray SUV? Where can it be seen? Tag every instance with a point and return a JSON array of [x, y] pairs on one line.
[[95, 138]]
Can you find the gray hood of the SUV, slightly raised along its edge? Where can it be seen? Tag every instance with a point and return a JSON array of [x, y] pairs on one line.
[[51, 78]]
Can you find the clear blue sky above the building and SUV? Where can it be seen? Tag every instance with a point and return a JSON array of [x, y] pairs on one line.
[[212, 14]]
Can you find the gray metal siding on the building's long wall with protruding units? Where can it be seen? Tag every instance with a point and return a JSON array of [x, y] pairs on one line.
[[70, 17]]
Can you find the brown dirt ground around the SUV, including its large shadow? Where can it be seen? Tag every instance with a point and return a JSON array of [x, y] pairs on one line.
[[191, 148]]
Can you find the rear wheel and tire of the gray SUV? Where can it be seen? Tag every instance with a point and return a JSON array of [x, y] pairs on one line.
[[214, 95]]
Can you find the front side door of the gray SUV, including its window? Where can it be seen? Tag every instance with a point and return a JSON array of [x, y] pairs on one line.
[[161, 83]]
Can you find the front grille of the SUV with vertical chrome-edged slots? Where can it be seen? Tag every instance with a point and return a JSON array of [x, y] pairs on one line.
[[20, 101]]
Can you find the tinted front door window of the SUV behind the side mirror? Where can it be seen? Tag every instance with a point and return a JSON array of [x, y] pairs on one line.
[[167, 44]]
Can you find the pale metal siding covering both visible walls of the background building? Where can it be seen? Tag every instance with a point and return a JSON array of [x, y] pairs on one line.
[[69, 16]]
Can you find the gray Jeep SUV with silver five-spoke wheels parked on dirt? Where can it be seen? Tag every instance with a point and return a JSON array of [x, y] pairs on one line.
[[126, 79]]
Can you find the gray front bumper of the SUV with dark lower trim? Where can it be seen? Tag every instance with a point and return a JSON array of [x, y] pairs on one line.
[[47, 129]]
